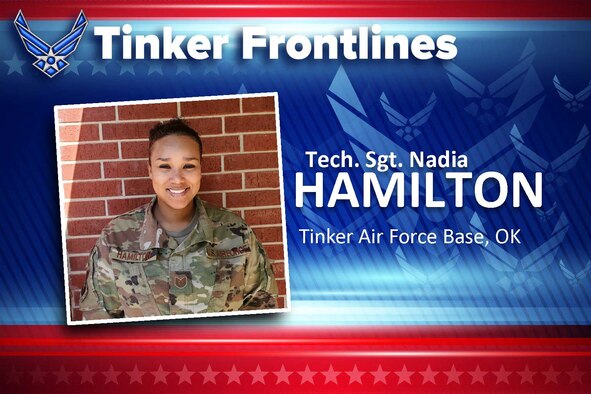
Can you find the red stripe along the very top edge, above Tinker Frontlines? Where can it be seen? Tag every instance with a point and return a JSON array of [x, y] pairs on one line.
[[446, 9]]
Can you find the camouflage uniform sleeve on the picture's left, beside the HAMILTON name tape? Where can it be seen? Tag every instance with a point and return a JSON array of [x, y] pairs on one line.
[[99, 299]]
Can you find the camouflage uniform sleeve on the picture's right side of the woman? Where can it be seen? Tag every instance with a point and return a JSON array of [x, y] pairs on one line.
[[260, 287]]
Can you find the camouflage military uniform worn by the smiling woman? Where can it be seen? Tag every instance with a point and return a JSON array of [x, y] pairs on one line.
[[136, 270]]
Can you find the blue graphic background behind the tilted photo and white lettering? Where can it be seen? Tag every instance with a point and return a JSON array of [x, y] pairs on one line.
[[329, 106]]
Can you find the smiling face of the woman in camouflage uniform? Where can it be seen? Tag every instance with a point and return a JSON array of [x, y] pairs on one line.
[[175, 170]]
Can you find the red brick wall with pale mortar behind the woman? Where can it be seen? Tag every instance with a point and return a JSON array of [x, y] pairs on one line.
[[103, 159]]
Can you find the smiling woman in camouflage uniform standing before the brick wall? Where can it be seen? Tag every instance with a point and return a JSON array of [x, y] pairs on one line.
[[176, 255]]
